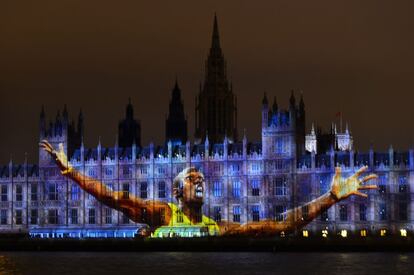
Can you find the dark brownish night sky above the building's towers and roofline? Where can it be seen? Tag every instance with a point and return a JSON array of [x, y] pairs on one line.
[[354, 56]]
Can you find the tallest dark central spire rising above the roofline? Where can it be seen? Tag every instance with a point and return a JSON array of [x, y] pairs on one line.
[[216, 105]]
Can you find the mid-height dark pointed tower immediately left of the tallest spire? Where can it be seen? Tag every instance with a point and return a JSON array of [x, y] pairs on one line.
[[176, 123]]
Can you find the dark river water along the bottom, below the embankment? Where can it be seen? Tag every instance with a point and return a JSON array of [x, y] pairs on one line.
[[204, 263]]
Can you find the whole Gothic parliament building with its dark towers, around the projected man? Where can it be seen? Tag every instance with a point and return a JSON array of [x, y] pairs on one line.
[[245, 181]]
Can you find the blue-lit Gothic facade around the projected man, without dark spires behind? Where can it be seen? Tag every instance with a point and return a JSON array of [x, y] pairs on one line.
[[245, 182]]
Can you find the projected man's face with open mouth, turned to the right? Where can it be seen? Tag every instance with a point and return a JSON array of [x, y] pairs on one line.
[[193, 188]]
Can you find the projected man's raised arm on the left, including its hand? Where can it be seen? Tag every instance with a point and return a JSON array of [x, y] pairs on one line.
[[135, 208]]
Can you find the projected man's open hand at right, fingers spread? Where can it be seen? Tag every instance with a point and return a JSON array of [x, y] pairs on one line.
[[342, 188]]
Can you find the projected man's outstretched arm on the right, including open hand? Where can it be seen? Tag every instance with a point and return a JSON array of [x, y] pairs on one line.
[[298, 217]]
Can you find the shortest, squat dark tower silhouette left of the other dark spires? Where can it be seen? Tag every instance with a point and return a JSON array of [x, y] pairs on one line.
[[129, 129]]
